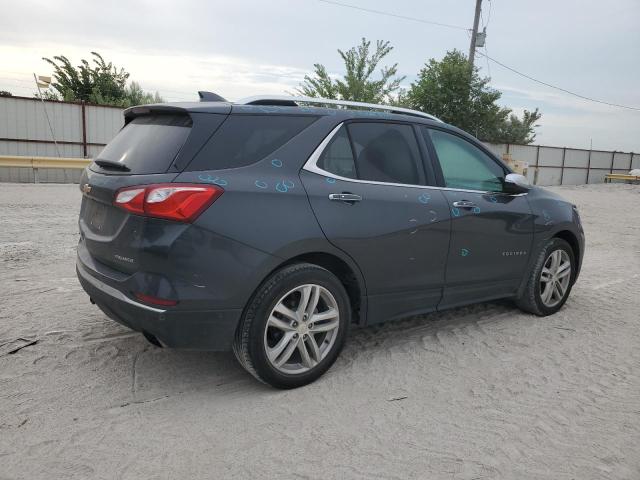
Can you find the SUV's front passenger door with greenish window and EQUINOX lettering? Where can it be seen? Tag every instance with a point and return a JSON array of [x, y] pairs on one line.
[[491, 231]]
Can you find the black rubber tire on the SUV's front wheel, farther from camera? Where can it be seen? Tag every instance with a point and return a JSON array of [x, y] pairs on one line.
[[532, 299]]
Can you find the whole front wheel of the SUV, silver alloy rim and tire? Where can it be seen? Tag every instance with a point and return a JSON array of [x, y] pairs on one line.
[[550, 280]]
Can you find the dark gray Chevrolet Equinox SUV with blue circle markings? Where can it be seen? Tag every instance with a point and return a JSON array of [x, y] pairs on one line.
[[269, 226]]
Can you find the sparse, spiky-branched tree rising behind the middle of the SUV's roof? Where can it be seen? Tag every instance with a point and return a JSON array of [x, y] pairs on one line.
[[357, 84]]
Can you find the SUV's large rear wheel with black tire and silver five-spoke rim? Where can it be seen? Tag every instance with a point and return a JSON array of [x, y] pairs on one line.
[[263, 331]]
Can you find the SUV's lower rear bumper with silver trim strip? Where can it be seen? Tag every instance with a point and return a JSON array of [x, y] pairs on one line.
[[194, 330]]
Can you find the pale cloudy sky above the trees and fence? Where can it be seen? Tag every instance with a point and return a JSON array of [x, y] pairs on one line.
[[247, 47]]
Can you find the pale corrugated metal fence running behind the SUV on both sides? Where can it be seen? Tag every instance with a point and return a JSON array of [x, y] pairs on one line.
[[81, 130]]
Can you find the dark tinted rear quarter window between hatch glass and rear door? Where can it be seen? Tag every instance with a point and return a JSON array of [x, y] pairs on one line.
[[246, 139]]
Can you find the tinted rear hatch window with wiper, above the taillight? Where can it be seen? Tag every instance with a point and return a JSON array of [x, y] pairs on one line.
[[146, 145]]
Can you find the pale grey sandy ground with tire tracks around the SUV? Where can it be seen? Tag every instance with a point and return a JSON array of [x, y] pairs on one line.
[[478, 392]]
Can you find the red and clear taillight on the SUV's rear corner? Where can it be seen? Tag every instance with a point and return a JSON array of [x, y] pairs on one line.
[[172, 201]]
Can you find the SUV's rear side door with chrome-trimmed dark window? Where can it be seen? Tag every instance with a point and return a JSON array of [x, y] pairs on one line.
[[366, 184]]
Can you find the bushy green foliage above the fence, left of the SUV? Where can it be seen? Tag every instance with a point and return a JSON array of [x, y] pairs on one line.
[[96, 82]]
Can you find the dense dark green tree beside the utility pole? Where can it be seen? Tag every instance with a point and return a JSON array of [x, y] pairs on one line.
[[452, 91]]
